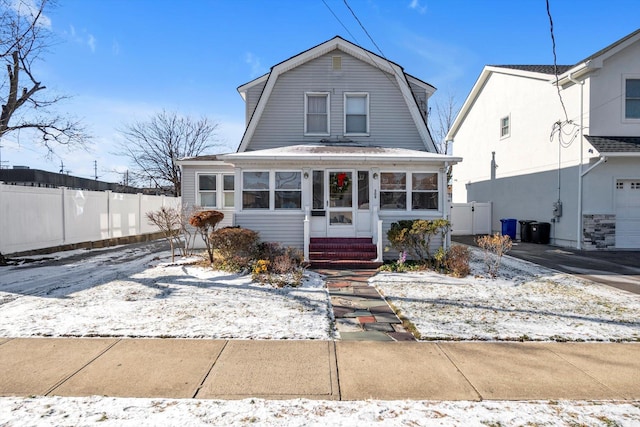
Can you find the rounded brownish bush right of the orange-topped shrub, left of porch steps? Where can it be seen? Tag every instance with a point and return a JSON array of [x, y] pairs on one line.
[[235, 247]]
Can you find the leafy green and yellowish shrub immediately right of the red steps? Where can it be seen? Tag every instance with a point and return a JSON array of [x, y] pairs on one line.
[[414, 236]]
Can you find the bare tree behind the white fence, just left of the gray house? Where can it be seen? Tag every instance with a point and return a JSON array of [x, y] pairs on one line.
[[154, 146]]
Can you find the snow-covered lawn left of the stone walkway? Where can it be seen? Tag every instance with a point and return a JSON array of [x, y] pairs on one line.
[[137, 293]]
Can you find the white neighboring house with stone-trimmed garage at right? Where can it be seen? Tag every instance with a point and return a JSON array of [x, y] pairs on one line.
[[580, 172]]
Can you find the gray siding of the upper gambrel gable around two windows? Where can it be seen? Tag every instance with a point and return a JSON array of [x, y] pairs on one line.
[[282, 122]]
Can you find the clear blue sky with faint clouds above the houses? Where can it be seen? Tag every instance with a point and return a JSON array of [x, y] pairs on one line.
[[124, 60]]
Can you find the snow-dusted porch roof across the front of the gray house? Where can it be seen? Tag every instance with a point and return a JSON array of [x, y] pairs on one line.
[[339, 154]]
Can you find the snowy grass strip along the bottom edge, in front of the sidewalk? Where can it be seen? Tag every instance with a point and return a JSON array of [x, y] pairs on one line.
[[105, 411]]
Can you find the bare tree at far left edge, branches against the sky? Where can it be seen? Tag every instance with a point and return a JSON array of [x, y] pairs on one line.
[[24, 37]]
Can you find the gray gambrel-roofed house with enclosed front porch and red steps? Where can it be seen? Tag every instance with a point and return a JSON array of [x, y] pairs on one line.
[[336, 146]]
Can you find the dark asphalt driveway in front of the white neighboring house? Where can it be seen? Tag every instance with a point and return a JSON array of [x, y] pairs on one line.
[[620, 269]]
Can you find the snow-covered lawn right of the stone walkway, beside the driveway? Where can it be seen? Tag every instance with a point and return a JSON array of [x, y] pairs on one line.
[[525, 301]]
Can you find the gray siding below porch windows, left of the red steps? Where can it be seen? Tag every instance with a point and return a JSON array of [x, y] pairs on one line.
[[284, 228]]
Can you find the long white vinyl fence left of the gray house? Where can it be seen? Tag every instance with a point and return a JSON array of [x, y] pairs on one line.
[[35, 218]]
